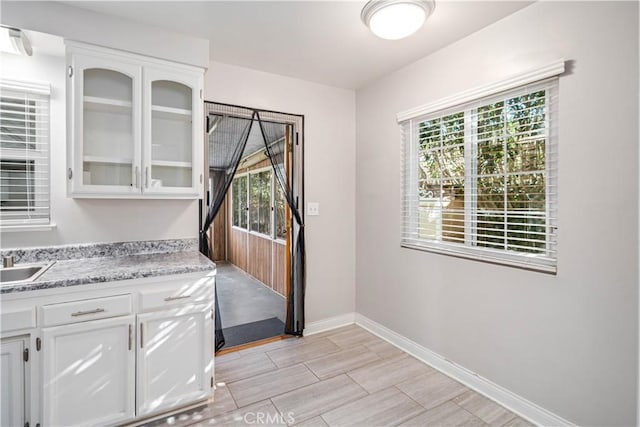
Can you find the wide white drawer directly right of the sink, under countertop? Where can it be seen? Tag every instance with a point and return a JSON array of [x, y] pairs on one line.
[[83, 310]]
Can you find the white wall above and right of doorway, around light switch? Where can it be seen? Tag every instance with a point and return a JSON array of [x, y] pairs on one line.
[[329, 173]]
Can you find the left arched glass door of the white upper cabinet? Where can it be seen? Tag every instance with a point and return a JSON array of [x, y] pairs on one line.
[[108, 152]]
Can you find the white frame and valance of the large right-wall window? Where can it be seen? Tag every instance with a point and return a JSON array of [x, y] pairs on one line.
[[410, 120]]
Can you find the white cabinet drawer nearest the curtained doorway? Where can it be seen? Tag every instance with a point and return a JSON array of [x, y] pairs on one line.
[[177, 294]]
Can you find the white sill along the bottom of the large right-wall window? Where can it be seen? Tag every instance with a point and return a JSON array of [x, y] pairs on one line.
[[485, 256]]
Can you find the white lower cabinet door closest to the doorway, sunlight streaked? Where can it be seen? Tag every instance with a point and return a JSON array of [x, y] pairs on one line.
[[174, 357]]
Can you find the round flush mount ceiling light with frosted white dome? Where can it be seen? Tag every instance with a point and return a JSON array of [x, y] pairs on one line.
[[396, 19]]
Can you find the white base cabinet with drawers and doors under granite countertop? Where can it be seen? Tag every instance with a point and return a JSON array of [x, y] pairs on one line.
[[107, 354]]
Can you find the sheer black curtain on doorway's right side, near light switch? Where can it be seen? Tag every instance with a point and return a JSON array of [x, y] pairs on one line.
[[274, 134]]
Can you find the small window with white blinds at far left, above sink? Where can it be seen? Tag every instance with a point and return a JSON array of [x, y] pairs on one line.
[[24, 154]]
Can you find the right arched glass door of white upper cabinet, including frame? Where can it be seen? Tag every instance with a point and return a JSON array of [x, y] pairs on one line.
[[172, 133]]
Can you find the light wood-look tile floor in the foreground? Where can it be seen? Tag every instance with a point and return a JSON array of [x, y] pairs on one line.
[[344, 377]]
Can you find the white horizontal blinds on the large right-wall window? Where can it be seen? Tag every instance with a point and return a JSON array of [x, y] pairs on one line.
[[480, 178]]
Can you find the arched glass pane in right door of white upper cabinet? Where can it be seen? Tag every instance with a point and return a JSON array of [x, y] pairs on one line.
[[171, 135]]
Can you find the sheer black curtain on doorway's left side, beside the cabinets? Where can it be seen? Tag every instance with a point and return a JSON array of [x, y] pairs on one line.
[[231, 126]]
